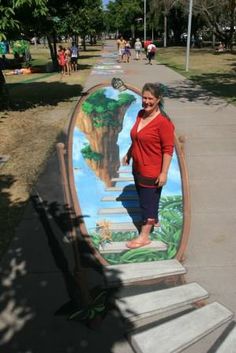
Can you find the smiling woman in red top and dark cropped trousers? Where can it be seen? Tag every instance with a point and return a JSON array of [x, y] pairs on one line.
[[151, 151]]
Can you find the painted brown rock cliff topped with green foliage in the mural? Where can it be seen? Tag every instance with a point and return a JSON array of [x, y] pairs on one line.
[[101, 120]]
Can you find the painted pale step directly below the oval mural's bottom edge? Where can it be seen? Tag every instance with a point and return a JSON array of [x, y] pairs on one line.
[[128, 274]]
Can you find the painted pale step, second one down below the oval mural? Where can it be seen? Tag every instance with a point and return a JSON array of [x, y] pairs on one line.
[[137, 309]]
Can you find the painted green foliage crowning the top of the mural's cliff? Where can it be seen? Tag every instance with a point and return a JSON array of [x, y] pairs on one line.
[[103, 110]]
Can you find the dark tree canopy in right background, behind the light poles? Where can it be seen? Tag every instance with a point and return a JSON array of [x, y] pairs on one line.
[[217, 16]]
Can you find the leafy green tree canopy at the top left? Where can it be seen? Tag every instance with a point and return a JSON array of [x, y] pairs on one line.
[[49, 17]]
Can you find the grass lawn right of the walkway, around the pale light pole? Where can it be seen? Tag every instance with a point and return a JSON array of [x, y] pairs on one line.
[[214, 72]]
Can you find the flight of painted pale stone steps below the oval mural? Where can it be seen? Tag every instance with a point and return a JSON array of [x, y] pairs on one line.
[[171, 319]]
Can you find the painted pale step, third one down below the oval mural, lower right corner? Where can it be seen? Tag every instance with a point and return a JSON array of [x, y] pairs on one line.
[[187, 329]]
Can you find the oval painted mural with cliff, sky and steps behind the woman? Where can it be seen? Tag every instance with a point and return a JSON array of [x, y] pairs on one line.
[[103, 192]]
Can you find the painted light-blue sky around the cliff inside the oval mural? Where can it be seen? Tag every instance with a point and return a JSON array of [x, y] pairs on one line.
[[90, 189]]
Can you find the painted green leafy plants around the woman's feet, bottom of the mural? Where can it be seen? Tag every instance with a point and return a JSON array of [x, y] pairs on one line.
[[171, 217]]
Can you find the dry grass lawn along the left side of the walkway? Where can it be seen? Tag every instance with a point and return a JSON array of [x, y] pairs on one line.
[[41, 107]]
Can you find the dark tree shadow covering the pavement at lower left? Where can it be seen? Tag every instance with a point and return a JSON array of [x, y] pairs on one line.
[[40, 291]]
